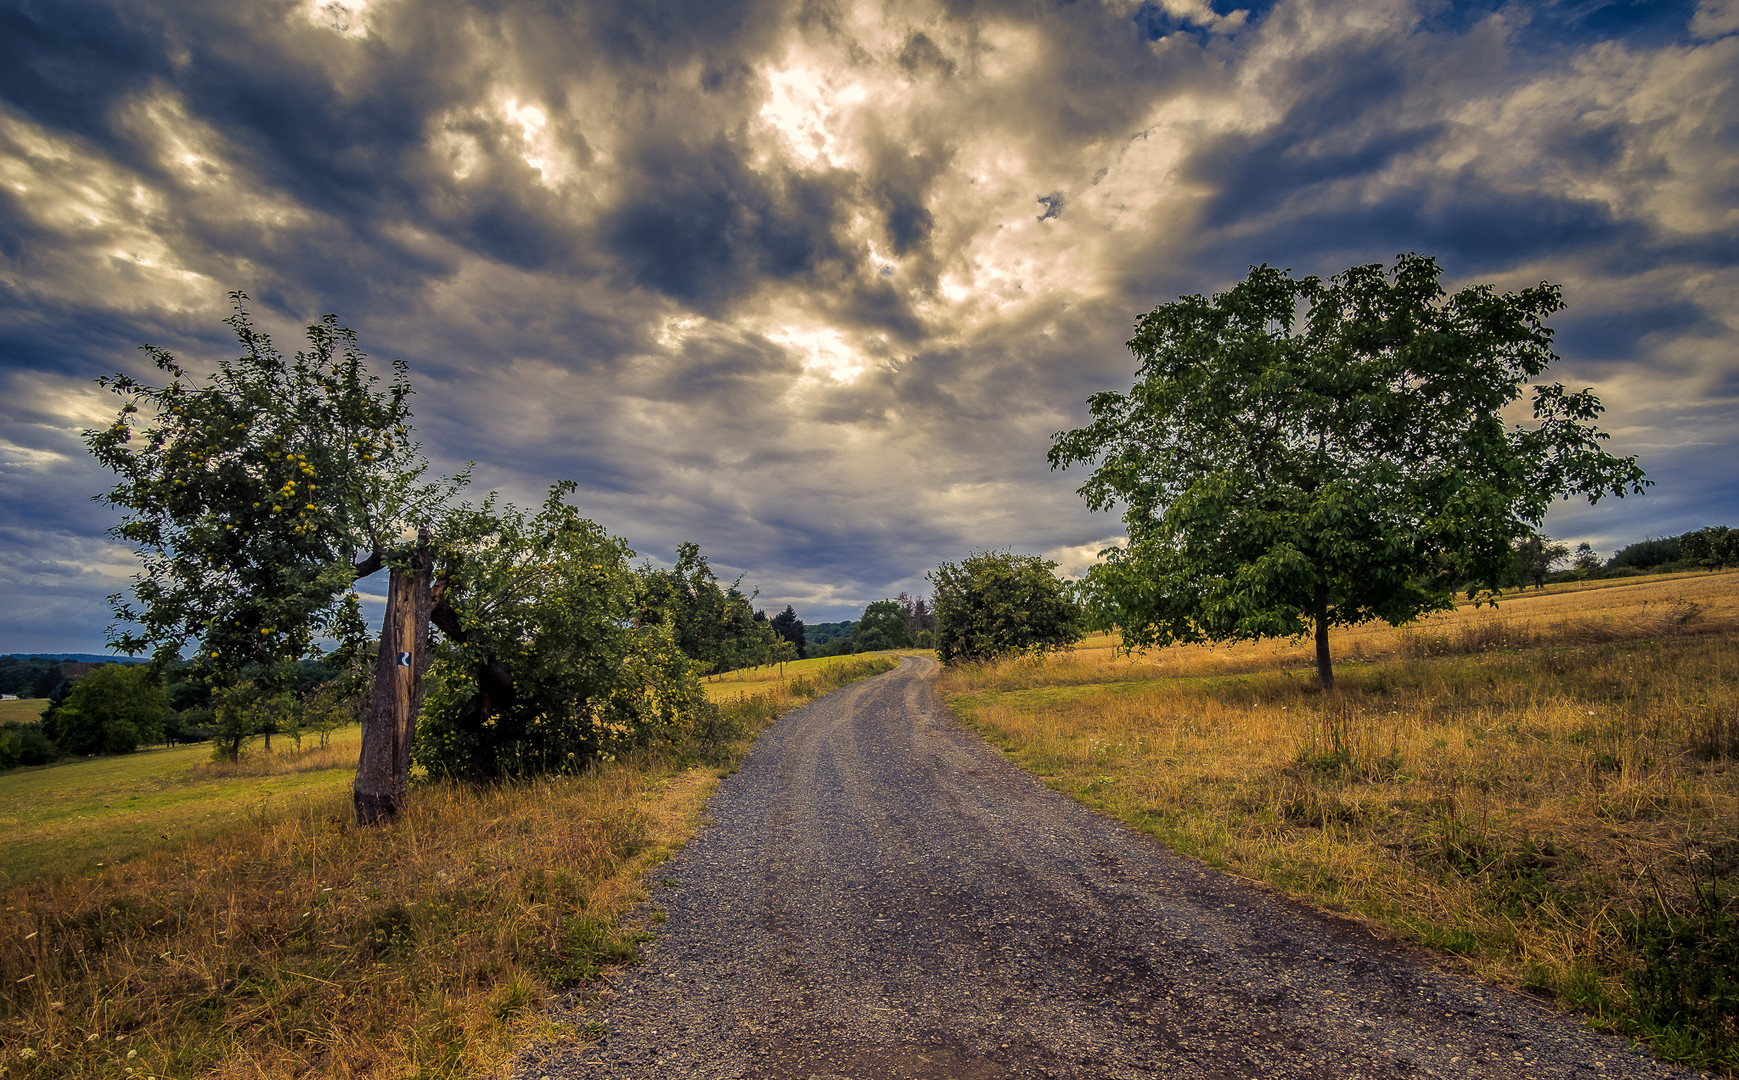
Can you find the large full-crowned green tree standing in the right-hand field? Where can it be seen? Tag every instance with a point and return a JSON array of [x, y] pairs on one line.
[[1300, 455]]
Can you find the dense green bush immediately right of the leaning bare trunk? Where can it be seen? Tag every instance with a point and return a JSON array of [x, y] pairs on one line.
[[543, 669]]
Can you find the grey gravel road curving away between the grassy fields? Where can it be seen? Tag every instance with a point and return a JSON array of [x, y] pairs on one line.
[[881, 897]]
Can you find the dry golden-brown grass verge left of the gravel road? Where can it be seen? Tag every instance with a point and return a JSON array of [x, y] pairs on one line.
[[283, 942]]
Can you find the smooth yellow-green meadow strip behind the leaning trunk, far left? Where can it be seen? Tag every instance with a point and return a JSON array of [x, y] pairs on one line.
[[74, 817]]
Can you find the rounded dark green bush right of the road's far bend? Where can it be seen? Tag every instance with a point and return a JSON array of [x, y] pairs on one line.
[[996, 603]]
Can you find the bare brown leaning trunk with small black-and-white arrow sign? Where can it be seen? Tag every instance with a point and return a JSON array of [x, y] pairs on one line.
[[383, 771]]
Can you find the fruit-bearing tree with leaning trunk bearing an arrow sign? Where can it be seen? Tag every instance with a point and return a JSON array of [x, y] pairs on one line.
[[257, 500]]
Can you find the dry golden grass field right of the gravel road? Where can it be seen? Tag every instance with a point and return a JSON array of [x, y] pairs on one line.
[[1547, 794]]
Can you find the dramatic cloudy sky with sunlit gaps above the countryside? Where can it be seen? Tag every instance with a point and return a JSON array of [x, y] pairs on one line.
[[813, 283]]
